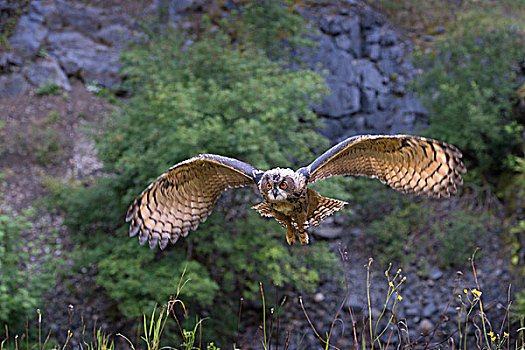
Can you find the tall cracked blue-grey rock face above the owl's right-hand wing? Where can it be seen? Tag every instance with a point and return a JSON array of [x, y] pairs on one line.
[[367, 70]]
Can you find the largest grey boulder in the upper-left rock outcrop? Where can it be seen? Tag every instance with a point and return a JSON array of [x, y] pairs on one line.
[[82, 57]]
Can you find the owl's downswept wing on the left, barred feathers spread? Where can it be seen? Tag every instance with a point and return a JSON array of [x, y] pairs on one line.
[[184, 196]]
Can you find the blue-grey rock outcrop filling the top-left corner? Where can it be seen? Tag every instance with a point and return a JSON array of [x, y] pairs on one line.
[[58, 39]]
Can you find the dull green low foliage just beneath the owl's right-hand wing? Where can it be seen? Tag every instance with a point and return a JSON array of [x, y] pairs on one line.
[[415, 229]]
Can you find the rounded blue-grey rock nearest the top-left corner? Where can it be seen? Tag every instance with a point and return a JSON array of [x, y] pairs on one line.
[[28, 37]]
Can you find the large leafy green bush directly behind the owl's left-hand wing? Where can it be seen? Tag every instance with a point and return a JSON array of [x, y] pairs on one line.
[[207, 97]]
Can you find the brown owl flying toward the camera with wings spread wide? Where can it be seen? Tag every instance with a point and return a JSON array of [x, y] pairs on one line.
[[185, 195]]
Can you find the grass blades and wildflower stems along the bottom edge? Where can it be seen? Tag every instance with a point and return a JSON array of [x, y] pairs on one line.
[[369, 333]]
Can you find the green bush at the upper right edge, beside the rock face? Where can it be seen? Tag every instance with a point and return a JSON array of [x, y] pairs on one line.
[[468, 86]]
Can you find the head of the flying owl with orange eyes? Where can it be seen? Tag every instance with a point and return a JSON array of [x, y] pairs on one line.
[[278, 184]]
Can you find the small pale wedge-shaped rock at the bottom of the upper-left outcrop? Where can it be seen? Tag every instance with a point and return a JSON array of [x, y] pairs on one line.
[[46, 71]]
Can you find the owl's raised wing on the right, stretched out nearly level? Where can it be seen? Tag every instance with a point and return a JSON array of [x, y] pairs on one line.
[[406, 163]]
